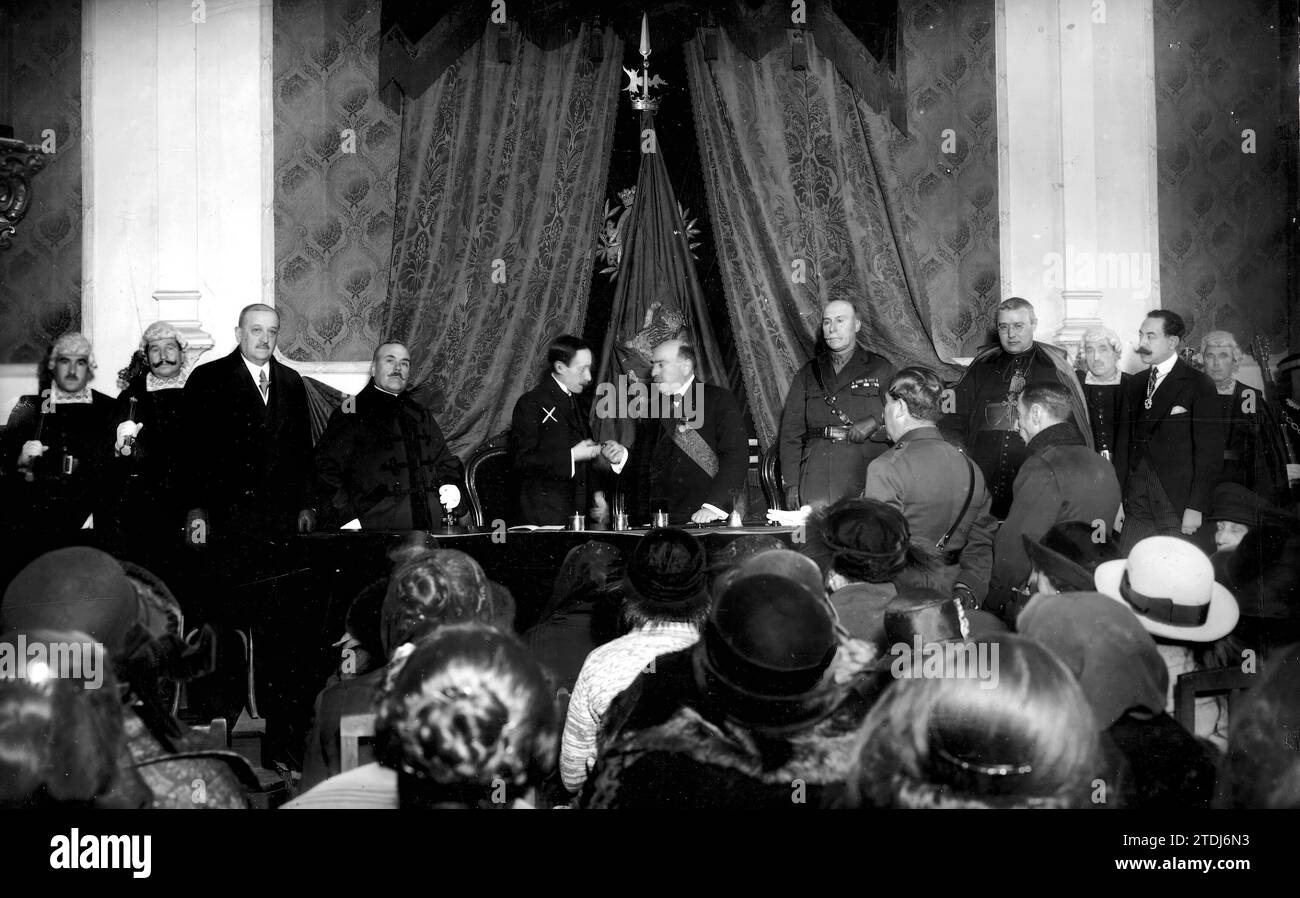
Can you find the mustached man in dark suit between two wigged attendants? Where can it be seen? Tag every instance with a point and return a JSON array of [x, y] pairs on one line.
[[1171, 448]]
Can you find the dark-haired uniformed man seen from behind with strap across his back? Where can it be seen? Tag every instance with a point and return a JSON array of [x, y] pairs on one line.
[[935, 485]]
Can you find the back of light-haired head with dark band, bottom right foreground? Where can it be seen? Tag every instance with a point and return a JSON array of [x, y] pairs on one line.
[[1026, 739]]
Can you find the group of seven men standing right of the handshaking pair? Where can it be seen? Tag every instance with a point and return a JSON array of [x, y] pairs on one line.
[[1024, 443]]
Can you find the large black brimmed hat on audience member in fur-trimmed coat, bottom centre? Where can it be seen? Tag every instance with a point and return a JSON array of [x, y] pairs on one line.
[[765, 656]]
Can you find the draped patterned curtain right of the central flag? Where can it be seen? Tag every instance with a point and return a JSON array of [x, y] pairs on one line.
[[804, 212]]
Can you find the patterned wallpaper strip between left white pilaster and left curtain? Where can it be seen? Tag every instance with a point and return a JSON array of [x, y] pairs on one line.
[[333, 209]]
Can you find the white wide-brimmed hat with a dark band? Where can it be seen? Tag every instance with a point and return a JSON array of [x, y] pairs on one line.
[[1149, 583]]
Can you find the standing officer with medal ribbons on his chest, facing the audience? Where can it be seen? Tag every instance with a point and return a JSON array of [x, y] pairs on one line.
[[831, 424]]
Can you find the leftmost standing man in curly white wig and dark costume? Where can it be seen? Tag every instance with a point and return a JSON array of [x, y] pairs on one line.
[[58, 445]]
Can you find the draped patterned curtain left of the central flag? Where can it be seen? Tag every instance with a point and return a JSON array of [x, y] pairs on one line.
[[500, 194]]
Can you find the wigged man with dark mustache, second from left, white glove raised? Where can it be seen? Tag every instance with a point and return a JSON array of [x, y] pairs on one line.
[[149, 445]]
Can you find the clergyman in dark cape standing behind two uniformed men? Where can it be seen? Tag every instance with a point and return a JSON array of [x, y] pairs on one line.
[[983, 418]]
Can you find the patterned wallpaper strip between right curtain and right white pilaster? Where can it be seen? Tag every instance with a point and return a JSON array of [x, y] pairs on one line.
[[952, 84]]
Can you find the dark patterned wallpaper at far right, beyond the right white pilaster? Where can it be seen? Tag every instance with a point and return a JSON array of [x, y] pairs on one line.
[[1223, 212]]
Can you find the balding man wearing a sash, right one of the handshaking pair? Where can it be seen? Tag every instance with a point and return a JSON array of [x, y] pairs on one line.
[[691, 452]]
